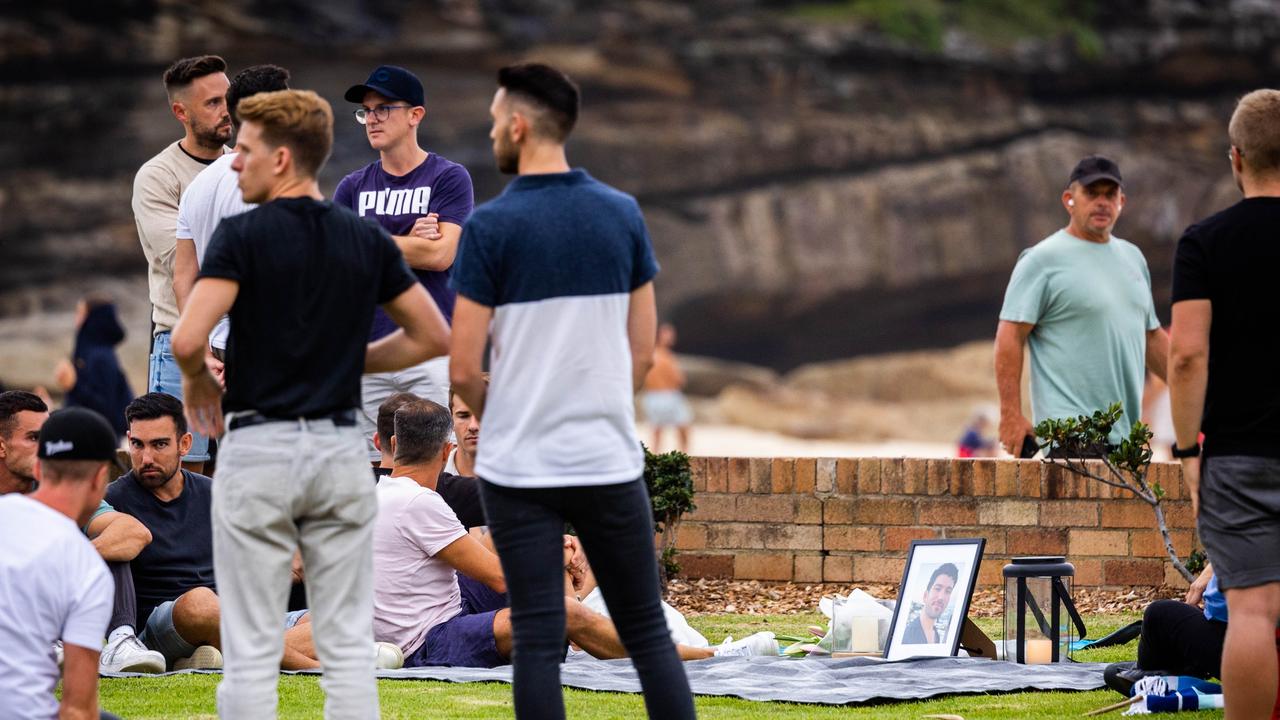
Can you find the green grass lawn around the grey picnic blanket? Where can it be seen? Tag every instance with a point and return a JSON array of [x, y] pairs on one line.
[[193, 696]]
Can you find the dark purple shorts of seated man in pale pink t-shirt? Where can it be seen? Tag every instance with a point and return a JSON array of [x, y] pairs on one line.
[[467, 640]]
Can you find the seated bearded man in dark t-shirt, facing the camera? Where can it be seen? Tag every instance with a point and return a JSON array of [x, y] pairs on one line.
[[179, 605]]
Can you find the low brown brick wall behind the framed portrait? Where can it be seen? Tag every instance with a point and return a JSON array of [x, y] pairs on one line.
[[852, 520]]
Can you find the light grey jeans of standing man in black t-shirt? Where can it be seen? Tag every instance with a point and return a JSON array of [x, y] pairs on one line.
[[286, 486]]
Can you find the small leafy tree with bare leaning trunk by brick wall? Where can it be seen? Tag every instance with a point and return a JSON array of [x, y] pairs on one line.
[[1127, 466]]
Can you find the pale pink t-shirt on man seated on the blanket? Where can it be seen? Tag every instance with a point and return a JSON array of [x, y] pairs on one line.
[[413, 590]]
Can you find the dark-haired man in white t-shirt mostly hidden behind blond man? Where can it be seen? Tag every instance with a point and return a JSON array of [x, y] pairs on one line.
[[213, 195]]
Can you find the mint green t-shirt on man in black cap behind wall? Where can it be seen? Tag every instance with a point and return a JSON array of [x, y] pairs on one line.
[[1092, 308]]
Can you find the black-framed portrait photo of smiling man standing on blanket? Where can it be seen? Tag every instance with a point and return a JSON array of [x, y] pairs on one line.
[[934, 599]]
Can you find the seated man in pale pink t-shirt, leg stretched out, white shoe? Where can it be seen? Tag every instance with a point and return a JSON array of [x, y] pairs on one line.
[[438, 593]]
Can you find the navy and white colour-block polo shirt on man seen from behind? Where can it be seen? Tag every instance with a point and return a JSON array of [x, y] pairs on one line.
[[557, 257]]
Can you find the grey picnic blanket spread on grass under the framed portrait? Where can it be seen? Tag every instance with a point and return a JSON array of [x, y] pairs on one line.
[[817, 681]]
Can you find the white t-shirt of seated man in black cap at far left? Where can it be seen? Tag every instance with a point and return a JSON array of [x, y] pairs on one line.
[[53, 586]]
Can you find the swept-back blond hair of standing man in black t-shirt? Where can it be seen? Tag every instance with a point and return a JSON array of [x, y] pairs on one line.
[[299, 120]]
